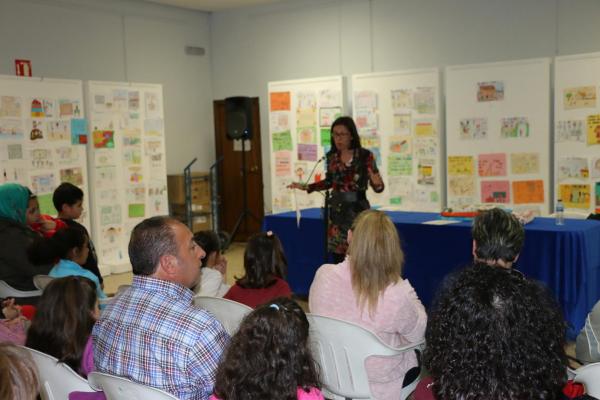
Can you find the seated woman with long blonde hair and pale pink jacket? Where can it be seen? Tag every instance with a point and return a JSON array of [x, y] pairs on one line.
[[367, 289]]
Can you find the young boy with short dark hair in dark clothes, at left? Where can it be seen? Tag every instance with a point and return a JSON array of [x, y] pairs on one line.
[[68, 201]]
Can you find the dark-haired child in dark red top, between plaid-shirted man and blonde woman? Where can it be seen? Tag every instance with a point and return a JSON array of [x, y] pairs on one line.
[[265, 266]]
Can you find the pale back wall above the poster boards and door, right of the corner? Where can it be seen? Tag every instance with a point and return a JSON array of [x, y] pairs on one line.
[[310, 38]]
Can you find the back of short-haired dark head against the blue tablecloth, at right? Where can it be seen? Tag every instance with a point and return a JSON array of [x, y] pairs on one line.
[[498, 238]]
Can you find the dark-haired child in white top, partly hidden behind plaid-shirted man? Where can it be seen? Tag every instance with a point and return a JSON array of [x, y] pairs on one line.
[[213, 268]]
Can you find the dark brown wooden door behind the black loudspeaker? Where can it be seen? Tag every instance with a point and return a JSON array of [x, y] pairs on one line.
[[230, 175]]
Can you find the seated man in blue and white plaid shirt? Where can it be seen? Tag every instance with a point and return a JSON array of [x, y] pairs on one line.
[[152, 333]]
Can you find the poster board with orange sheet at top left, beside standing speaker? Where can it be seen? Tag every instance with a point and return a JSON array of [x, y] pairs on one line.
[[300, 116]]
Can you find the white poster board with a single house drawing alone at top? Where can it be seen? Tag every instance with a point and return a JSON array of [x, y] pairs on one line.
[[498, 135]]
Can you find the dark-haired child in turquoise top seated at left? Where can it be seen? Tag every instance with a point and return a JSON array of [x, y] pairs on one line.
[[68, 249]]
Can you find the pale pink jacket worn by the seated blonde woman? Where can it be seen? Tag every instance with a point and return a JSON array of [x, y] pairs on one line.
[[399, 319]]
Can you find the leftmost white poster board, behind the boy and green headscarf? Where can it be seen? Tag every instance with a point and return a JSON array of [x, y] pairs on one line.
[[43, 134]]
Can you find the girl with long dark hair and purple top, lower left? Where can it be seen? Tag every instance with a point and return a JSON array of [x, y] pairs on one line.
[[63, 324]]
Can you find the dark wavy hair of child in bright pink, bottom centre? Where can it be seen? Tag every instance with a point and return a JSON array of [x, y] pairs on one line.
[[269, 357]]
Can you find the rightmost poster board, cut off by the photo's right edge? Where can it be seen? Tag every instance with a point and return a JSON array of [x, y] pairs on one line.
[[577, 132]]
